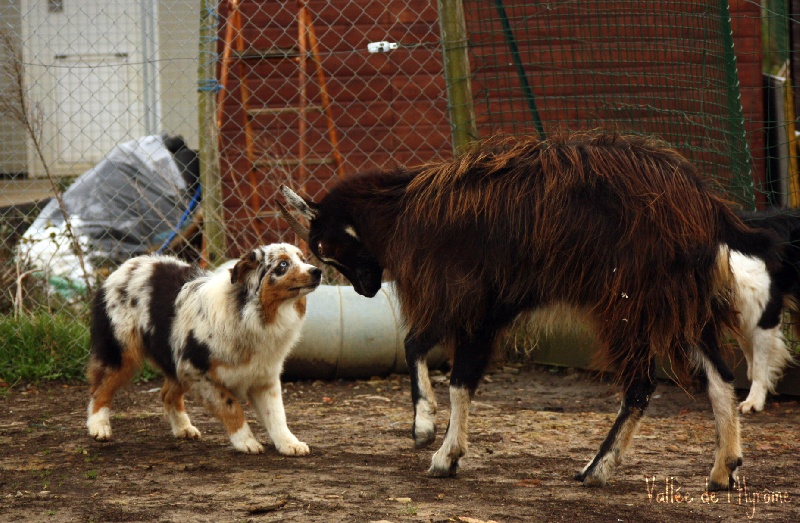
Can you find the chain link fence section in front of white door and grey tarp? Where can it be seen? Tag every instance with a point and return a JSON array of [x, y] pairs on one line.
[[98, 105]]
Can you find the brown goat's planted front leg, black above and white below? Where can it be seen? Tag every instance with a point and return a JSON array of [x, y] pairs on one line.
[[469, 363]]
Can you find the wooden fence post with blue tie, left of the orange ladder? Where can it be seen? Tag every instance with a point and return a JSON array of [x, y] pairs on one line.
[[214, 234]]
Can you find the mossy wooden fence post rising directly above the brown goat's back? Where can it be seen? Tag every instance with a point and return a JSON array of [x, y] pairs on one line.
[[457, 73]]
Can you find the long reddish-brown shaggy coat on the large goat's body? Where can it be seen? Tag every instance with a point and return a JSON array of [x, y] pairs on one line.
[[625, 226]]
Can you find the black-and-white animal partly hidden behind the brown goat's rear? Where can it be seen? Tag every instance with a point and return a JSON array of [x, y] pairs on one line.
[[763, 292]]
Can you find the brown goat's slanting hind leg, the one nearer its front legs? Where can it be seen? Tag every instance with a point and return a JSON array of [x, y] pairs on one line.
[[637, 396]]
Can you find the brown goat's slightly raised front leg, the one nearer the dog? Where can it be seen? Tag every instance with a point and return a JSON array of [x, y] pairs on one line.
[[417, 347]]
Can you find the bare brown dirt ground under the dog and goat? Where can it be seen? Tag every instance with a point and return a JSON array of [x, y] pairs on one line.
[[531, 429]]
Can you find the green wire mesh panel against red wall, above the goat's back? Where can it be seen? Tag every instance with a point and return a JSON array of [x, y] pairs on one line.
[[663, 68]]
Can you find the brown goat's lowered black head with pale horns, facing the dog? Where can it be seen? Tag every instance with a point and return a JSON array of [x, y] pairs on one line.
[[334, 239]]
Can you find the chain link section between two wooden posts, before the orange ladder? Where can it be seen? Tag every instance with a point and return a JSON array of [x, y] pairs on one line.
[[302, 100]]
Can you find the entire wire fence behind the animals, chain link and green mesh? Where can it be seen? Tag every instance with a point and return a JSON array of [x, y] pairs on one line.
[[166, 126]]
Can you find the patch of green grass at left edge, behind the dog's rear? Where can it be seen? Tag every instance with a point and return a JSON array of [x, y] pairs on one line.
[[42, 347]]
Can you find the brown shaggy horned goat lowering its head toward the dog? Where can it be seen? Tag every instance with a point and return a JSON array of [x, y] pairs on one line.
[[620, 228]]
